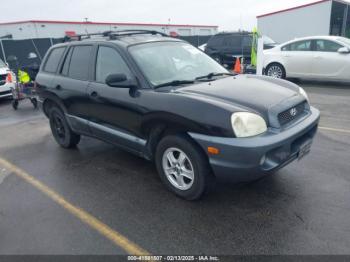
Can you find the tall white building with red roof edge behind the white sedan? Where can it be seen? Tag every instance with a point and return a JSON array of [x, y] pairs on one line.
[[325, 17]]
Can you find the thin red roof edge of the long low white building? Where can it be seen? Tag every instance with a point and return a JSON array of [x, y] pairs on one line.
[[102, 23]]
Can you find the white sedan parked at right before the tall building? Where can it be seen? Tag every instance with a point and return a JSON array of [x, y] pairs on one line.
[[317, 58]]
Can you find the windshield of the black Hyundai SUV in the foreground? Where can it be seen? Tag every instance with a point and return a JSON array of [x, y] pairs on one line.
[[164, 62]]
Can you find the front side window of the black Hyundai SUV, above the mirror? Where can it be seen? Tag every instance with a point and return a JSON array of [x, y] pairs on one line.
[[109, 62]]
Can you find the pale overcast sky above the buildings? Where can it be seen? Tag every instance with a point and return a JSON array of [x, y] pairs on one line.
[[227, 14]]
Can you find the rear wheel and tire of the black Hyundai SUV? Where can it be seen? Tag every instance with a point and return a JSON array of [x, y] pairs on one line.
[[61, 131]]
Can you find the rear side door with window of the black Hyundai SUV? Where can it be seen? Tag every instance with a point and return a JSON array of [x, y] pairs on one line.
[[71, 85]]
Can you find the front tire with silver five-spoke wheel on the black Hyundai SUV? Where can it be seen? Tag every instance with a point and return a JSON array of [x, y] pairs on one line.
[[182, 167]]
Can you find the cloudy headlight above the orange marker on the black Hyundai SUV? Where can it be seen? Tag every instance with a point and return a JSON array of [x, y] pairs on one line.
[[246, 124]]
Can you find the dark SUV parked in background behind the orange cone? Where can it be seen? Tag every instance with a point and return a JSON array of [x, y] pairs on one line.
[[227, 46]]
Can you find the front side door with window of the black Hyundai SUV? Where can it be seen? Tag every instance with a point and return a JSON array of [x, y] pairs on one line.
[[114, 112]]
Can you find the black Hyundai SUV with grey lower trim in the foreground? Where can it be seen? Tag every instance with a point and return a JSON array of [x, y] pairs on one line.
[[167, 101]]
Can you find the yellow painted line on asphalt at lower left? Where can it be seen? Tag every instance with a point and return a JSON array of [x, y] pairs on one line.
[[117, 238]]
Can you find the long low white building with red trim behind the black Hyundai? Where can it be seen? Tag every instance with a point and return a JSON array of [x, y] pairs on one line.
[[58, 29]]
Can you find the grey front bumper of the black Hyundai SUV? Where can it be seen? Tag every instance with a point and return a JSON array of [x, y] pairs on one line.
[[246, 159]]
